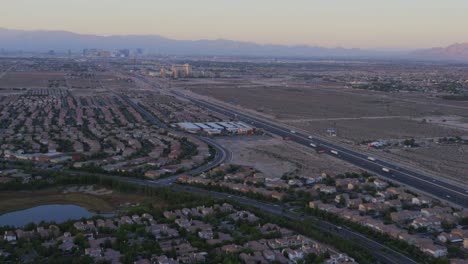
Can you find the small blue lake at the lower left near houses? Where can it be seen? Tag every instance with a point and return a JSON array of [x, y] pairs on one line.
[[58, 213]]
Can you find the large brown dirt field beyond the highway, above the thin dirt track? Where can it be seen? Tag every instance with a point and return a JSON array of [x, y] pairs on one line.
[[288, 103]]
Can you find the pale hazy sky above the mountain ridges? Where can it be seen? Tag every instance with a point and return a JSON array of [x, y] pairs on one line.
[[348, 23]]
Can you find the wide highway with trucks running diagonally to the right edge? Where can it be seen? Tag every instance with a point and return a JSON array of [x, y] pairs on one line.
[[440, 189]]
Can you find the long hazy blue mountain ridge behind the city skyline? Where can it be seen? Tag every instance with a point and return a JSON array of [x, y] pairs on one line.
[[42, 41]]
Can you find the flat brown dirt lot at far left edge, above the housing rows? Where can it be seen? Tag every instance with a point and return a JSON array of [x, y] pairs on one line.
[[29, 79]]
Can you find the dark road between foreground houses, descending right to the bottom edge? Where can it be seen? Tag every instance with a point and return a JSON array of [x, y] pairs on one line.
[[386, 256]]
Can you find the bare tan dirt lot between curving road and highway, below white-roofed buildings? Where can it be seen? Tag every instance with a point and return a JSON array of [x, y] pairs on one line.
[[275, 157]]
